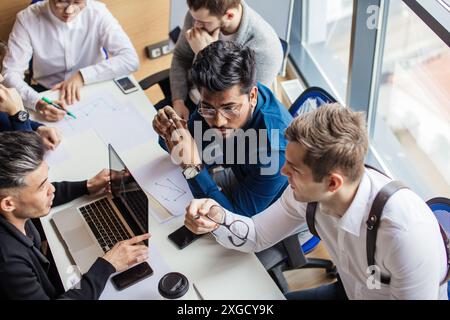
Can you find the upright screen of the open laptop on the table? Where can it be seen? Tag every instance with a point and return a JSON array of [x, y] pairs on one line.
[[125, 189]]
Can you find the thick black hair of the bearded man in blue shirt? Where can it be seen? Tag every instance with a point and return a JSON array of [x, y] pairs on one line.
[[222, 65]]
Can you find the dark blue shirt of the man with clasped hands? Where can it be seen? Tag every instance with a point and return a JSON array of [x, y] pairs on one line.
[[259, 181]]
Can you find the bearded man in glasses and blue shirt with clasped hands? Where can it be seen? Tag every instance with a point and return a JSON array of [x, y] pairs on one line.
[[238, 125]]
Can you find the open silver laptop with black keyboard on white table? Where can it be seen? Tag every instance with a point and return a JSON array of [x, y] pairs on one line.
[[92, 229]]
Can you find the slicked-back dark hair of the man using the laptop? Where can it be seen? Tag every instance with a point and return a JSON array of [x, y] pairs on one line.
[[21, 153]]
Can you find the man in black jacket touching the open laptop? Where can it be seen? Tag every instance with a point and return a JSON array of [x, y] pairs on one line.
[[25, 194]]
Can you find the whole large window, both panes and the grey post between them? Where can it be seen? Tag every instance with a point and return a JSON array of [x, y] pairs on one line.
[[399, 74]]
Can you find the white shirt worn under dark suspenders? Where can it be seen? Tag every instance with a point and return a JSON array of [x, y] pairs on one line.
[[409, 245]]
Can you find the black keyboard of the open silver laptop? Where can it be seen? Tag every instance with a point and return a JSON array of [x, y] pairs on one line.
[[104, 223]]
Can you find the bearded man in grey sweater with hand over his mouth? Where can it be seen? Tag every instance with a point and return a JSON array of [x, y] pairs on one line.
[[207, 22]]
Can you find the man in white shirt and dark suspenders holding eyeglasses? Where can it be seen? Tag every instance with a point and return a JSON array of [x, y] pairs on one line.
[[325, 164]]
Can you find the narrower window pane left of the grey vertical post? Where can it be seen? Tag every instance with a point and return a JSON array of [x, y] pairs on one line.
[[321, 36]]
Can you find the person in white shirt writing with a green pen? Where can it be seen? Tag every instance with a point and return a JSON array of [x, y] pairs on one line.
[[65, 40]]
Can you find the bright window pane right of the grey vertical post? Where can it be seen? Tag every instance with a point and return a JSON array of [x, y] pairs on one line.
[[412, 121]]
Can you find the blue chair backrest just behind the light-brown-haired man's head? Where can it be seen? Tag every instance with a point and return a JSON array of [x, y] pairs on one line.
[[309, 100]]
